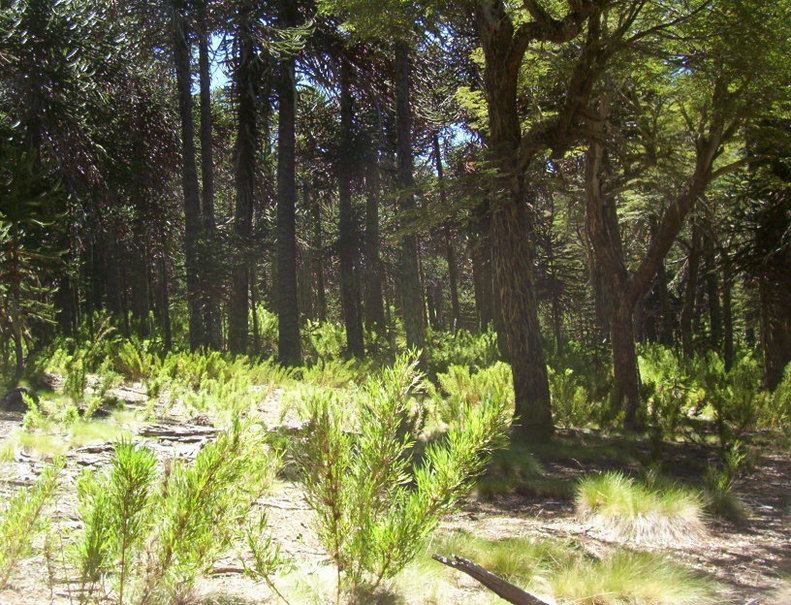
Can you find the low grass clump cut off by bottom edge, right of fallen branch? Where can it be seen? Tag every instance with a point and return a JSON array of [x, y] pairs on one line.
[[629, 578]]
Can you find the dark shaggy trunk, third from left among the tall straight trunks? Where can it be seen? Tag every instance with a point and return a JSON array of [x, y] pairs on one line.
[[246, 147]]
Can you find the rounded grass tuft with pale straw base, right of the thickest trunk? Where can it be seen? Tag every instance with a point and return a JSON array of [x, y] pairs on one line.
[[628, 509]]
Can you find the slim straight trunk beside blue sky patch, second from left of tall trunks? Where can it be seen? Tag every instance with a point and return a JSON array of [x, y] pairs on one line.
[[211, 305]]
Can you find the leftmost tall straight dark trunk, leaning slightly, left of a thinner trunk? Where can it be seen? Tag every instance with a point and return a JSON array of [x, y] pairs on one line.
[[189, 179]]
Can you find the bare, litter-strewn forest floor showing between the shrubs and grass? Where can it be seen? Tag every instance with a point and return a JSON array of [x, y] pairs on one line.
[[749, 560]]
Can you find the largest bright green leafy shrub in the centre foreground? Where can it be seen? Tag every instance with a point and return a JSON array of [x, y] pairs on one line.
[[375, 504]]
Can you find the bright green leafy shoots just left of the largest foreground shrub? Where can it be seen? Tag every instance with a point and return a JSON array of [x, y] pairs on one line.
[[153, 536]]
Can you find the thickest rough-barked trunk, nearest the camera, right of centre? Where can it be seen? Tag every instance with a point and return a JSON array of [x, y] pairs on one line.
[[512, 229]]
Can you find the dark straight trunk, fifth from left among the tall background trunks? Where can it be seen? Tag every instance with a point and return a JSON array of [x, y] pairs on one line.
[[348, 240]]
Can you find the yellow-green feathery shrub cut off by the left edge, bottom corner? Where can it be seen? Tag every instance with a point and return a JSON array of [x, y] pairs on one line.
[[22, 520]]
